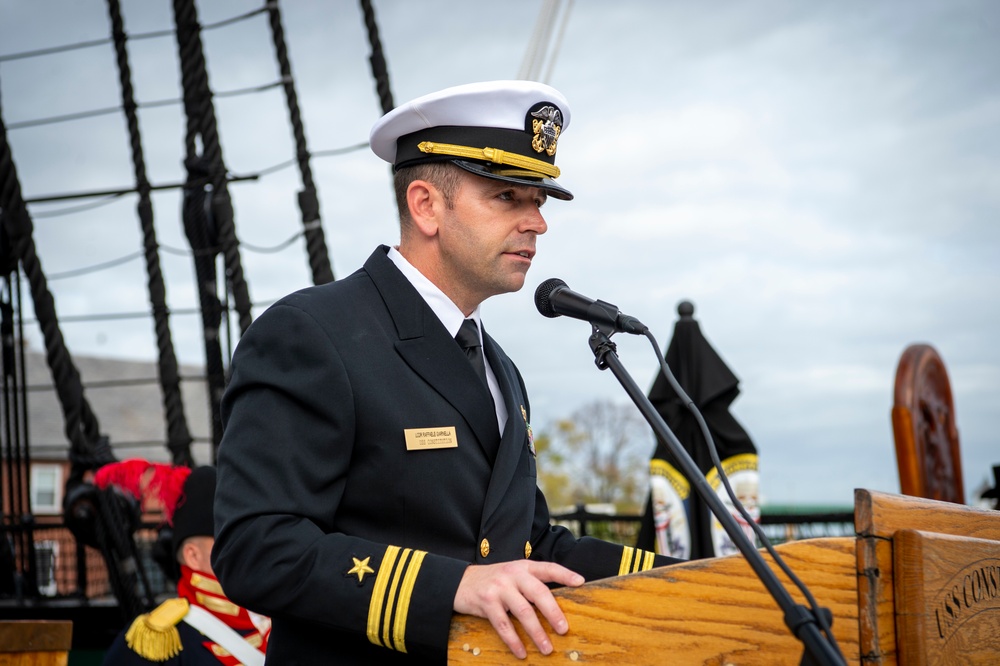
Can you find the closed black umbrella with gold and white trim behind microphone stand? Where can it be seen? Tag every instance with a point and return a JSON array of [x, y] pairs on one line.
[[677, 522]]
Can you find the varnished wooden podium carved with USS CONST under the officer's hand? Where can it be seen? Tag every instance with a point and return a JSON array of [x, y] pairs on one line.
[[918, 584]]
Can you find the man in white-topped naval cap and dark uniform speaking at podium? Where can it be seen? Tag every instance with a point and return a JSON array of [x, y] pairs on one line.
[[377, 471]]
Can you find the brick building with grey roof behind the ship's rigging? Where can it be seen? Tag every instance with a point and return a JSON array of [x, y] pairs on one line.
[[126, 398]]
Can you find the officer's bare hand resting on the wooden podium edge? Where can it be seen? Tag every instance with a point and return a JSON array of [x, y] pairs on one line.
[[491, 591]]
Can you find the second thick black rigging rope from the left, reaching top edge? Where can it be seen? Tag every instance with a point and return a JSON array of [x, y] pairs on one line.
[[178, 434]]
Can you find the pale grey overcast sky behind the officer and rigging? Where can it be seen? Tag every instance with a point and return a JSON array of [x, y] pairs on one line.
[[821, 179]]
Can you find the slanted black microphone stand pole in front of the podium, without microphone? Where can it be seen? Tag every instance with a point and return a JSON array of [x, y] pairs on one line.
[[799, 619]]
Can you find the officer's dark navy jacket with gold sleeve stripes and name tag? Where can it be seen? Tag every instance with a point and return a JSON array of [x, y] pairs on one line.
[[352, 543]]
